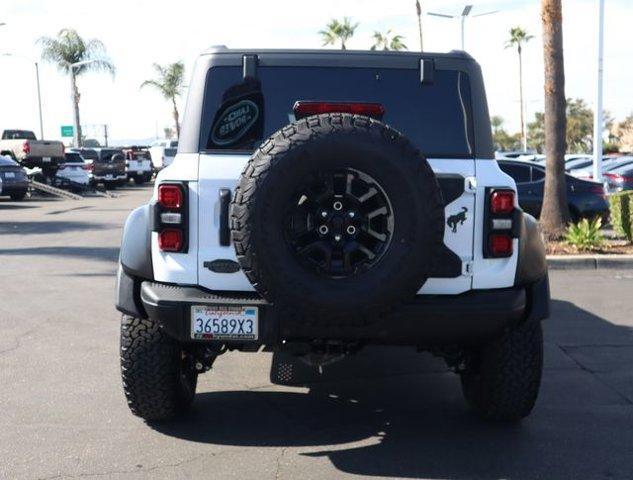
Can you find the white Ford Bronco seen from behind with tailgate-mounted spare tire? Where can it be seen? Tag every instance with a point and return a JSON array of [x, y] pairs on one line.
[[323, 201]]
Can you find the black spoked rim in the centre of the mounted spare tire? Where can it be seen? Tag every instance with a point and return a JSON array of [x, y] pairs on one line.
[[339, 223]]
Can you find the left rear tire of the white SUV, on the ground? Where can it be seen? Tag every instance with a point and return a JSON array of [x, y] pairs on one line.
[[157, 380]]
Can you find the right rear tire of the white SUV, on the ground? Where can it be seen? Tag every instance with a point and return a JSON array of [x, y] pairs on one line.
[[503, 378]]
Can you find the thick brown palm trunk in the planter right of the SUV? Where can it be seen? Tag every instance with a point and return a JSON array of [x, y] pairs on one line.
[[555, 211]]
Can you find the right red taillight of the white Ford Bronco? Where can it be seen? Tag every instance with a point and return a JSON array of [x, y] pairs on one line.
[[499, 226]]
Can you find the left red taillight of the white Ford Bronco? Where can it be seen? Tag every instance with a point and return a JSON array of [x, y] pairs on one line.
[[170, 217]]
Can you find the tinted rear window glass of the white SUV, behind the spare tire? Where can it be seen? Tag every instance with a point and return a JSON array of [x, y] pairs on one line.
[[238, 113]]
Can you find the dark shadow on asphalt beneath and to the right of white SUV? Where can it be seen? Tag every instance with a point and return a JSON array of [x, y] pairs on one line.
[[409, 420]]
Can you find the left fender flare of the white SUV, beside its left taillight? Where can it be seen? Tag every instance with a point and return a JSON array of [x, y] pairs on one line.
[[135, 261]]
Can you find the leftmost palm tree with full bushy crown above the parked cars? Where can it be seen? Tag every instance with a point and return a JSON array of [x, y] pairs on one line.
[[68, 49]]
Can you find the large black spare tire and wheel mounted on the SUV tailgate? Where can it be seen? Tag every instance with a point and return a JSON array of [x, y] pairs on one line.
[[337, 217]]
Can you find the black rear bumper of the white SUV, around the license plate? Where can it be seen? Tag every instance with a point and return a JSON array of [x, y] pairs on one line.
[[471, 317]]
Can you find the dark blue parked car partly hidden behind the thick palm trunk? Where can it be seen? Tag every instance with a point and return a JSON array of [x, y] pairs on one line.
[[586, 198]]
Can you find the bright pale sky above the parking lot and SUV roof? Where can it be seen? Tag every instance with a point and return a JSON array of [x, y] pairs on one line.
[[140, 32]]
